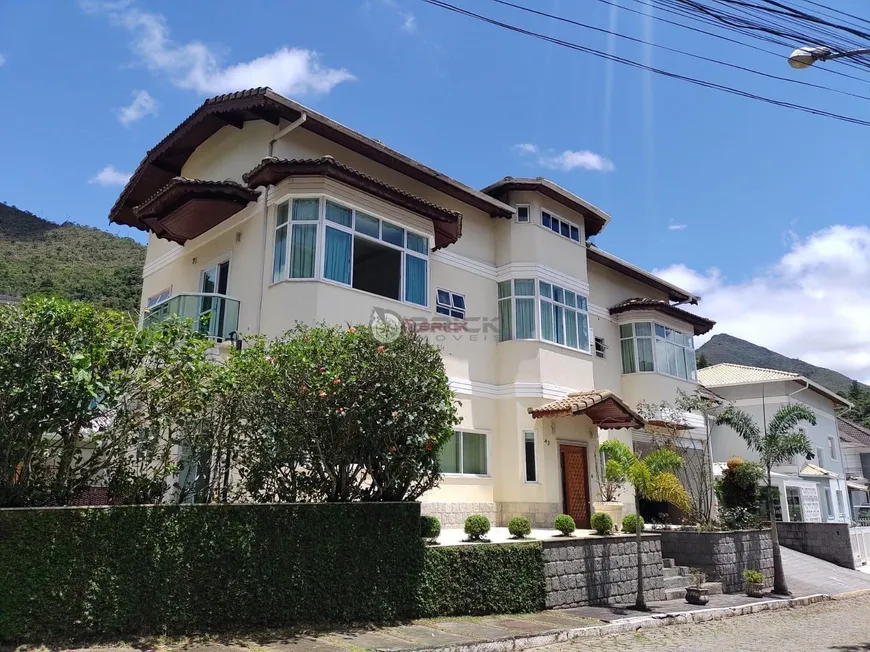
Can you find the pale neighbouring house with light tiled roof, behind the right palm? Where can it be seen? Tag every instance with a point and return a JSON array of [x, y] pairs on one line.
[[809, 490]]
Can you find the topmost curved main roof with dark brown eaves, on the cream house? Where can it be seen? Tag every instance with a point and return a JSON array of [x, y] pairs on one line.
[[168, 157]]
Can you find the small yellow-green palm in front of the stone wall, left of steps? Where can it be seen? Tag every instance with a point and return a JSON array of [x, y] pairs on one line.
[[653, 479]]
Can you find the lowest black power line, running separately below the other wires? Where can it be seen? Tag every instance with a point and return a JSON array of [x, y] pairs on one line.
[[700, 82]]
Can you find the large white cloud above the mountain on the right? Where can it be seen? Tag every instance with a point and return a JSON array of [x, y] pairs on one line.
[[813, 304]]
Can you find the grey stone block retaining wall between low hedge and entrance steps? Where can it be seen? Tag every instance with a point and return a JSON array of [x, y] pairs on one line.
[[601, 570]]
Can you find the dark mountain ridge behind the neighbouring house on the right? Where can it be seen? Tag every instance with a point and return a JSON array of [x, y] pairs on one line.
[[725, 348]]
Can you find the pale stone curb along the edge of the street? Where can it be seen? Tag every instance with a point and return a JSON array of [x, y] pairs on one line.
[[526, 641]]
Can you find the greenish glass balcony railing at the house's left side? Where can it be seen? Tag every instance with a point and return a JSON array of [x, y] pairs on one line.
[[213, 315]]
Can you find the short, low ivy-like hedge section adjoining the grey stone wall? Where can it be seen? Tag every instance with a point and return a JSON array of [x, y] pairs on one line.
[[482, 579]]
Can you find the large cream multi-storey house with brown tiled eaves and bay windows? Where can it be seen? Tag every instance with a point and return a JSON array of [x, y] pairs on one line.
[[262, 212]]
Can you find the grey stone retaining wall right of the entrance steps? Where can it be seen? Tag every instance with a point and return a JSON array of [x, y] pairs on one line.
[[723, 556]]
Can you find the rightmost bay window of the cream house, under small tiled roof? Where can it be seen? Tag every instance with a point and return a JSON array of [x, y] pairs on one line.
[[648, 346]]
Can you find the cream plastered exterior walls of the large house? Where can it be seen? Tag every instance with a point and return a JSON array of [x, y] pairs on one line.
[[496, 382]]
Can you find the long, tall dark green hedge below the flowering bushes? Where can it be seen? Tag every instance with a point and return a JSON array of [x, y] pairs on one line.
[[75, 573]]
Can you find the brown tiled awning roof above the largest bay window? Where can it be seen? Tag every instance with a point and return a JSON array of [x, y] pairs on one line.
[[272, 170]]
